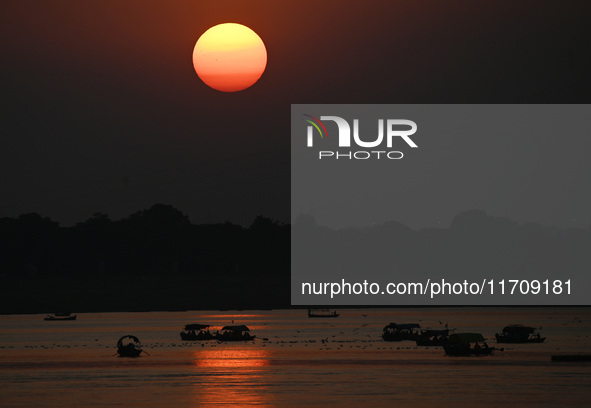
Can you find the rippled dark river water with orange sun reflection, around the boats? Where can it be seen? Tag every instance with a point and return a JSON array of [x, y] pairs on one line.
[[295, 361]]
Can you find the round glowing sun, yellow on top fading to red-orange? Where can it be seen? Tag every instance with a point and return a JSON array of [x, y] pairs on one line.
[[229, 57]]
